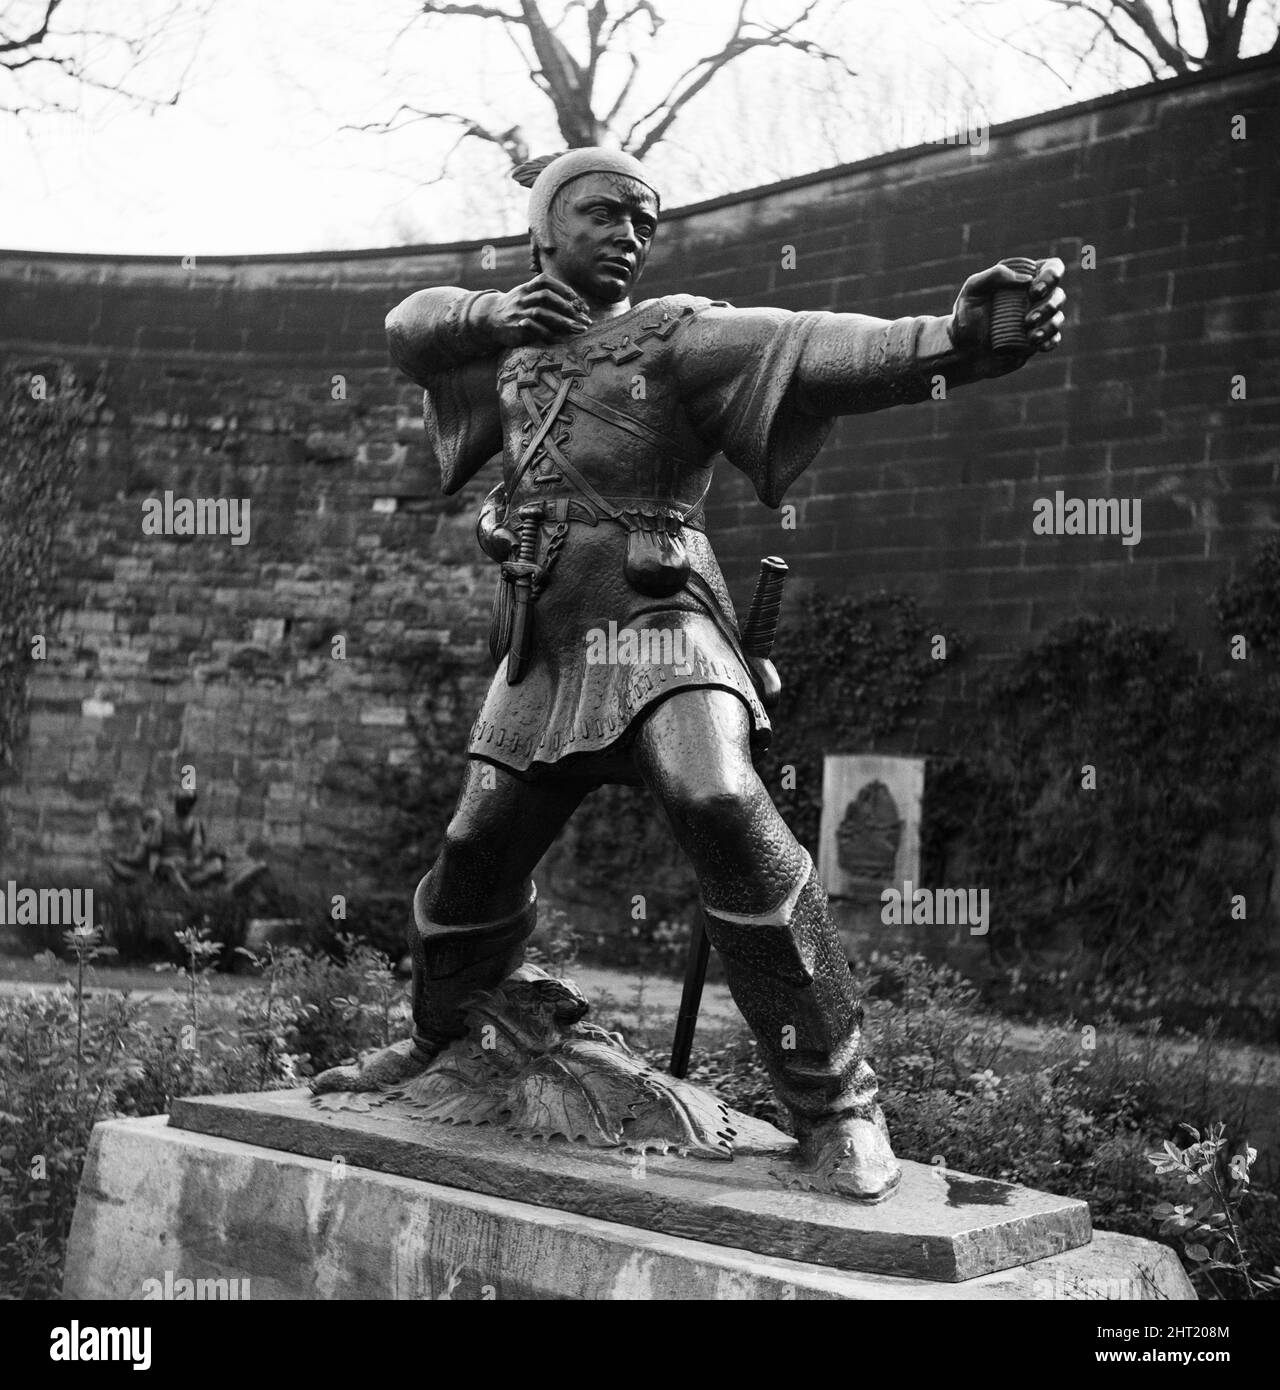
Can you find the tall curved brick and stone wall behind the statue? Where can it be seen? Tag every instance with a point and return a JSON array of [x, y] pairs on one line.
[[222, 383]]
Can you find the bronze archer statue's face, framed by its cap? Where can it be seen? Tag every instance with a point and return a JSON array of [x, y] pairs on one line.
[[604, 226]]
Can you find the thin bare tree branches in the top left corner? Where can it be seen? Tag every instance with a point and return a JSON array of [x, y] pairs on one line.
[[51, 51]]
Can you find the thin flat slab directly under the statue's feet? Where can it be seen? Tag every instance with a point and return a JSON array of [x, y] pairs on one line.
[[946, 1227]]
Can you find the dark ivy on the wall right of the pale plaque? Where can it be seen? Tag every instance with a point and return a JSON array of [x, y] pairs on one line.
[[1114, 799]]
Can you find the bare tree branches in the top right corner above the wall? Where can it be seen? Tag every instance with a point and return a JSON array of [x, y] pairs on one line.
[[1174, 38]]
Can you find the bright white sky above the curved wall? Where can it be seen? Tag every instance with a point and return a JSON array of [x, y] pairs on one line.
[[255, 156]]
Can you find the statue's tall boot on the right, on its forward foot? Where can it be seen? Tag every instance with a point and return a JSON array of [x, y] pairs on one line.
[[790, 979]]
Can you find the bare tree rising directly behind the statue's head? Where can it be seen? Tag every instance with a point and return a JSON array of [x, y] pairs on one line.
[[571, 81]]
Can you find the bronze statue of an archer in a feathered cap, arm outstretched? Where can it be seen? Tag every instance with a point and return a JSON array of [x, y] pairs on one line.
[[609, 416]]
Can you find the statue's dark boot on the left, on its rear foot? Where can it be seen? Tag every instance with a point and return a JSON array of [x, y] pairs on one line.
[[450, 965]]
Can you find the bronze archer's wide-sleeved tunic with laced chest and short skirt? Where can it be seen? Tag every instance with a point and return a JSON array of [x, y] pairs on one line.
[[639, 407]]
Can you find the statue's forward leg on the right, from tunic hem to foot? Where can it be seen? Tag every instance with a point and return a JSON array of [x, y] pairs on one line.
[[766, 914]]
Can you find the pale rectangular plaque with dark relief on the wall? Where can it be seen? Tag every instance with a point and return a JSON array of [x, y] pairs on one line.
[[871, 828]]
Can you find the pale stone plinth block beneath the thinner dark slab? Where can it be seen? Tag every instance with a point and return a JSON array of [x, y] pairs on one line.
[[162, 1206]]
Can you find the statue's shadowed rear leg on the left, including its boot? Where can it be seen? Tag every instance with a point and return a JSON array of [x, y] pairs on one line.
[[473, 913]]
